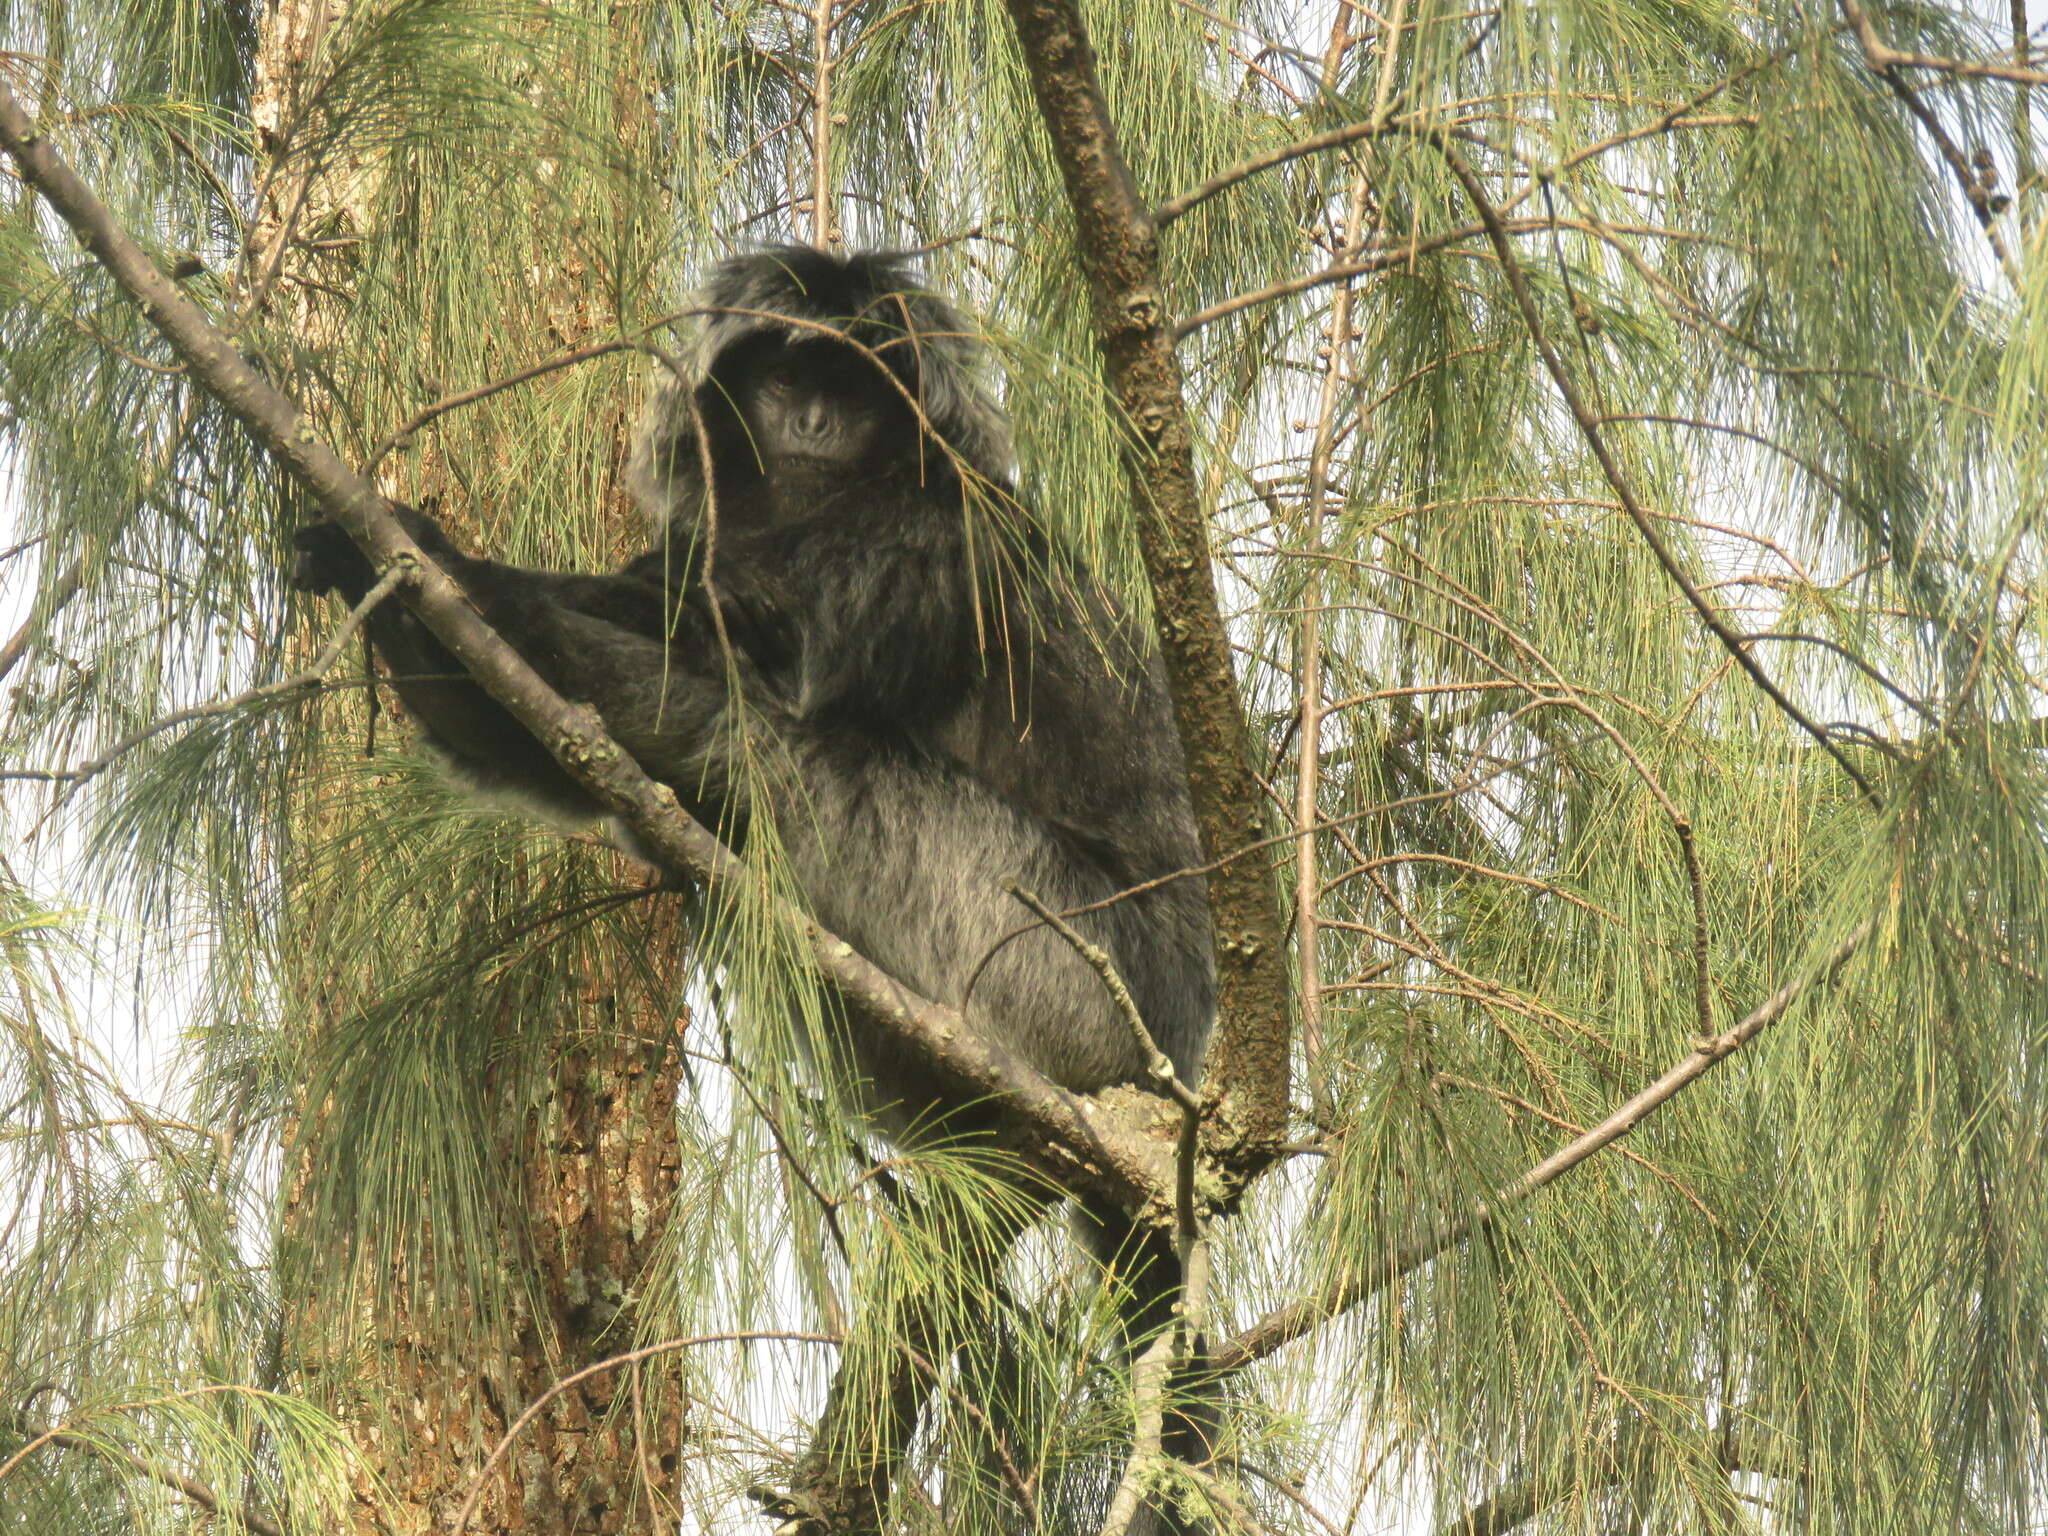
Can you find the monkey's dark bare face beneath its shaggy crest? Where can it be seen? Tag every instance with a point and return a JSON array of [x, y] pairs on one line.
[[814, 407]]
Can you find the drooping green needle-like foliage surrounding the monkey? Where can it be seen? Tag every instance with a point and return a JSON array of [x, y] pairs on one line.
[[1562, 833]]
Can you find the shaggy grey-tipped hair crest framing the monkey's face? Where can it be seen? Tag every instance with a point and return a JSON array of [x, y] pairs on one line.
[[878, 304]]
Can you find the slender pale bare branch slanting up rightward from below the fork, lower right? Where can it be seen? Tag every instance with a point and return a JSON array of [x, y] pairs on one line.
[[1293, 1322]]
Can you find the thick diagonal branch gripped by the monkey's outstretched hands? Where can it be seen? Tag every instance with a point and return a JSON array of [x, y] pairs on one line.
[[1074, 1142]]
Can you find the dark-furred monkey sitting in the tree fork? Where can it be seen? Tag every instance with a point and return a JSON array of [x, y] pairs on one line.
[[935, 695]]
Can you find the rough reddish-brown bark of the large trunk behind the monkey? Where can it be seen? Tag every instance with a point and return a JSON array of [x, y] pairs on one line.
[[595, 1150]]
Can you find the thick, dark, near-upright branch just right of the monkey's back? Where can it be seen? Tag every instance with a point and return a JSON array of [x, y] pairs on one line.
[[1117, 241]]
